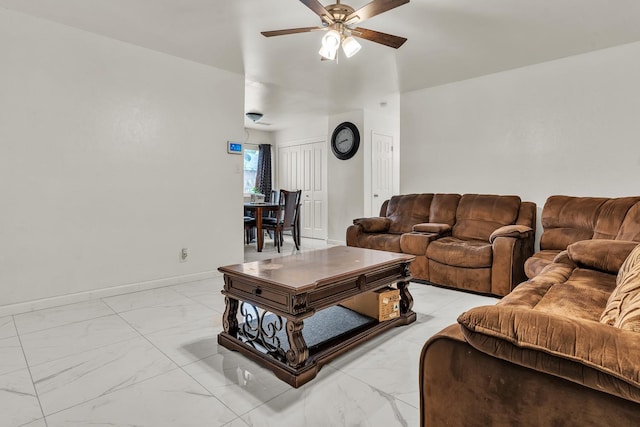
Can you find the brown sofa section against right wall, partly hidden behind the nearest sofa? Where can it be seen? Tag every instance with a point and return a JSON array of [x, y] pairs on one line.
[[566, 220]]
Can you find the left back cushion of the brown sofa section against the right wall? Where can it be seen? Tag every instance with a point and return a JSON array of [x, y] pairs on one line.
[[567, 220]]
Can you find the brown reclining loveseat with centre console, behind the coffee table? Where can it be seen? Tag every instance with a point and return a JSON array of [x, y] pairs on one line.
[[477, 242]]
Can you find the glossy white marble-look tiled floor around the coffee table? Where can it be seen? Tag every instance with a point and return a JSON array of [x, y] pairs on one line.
[[157, 363]]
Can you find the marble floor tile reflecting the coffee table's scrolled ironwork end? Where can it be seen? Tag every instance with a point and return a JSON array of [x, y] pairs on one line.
[[236, 381]]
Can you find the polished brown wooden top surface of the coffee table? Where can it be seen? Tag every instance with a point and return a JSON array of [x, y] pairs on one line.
[[310, 270]]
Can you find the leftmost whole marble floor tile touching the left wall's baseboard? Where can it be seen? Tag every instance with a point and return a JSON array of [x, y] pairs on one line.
[[58, 316]]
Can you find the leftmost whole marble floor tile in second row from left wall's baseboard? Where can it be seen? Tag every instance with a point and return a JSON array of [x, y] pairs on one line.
[[51, 344]]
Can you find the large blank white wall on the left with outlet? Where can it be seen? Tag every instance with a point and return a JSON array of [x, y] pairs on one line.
[[112, 158]]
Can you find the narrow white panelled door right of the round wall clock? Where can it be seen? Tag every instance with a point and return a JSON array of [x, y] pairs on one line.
[[381, 170]]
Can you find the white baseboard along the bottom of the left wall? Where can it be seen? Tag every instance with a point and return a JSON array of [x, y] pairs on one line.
[[40, 304]]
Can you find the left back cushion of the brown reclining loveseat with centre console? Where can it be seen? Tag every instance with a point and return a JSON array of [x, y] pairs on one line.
[[407, 210]]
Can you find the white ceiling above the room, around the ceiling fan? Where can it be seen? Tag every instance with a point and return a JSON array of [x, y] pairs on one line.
[[449, 40]]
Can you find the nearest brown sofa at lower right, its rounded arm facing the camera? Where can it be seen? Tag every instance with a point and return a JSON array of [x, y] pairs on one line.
[[544, 355]]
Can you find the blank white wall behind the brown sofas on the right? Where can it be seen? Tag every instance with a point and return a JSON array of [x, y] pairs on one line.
[[570, 126]]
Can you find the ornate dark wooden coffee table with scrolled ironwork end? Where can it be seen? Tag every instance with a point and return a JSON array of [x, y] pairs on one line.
[[295, 288]]
